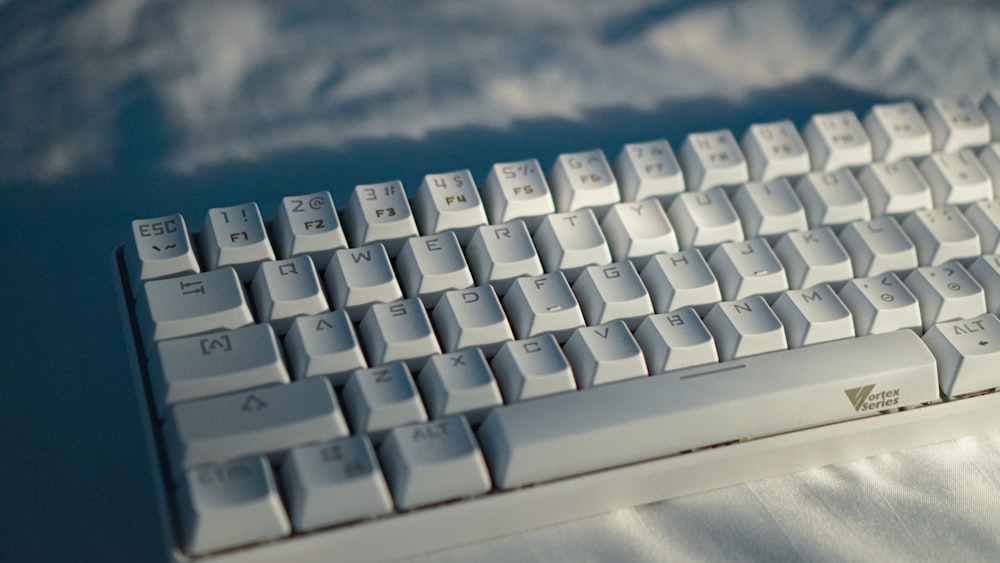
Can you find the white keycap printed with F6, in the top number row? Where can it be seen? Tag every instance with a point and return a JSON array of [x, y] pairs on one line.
[[583, 179]]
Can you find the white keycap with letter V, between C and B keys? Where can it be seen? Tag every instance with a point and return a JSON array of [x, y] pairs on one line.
[[604, 353]]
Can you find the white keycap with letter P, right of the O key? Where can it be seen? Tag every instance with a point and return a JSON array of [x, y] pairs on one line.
[[895, 188]]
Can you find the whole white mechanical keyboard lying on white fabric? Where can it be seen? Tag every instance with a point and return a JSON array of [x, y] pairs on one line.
[[404, 374]]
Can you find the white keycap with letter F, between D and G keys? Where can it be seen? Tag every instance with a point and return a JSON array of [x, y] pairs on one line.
[[541, 304]]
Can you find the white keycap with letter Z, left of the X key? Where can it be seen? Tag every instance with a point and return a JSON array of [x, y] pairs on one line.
[[381, 398]]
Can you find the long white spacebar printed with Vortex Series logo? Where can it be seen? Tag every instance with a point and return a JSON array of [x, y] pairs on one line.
[[646, 418]]
